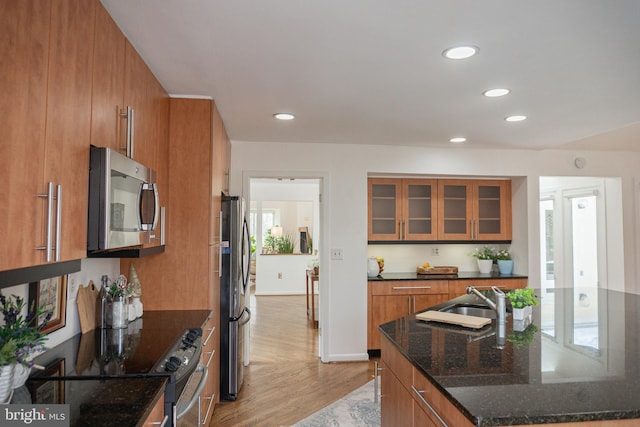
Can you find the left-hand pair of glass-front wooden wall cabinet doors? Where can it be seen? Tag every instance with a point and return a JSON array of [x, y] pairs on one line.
[[402, 209]]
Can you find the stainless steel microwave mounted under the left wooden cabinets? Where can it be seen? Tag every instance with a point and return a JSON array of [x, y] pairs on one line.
[[123, 201]]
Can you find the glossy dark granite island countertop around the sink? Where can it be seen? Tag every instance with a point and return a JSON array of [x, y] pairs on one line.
[[581, 364]]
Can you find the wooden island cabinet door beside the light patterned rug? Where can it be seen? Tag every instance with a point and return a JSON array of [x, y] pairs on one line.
[[396, 403]]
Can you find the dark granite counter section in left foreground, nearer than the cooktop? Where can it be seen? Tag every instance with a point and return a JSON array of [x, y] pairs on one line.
[[96, 402]]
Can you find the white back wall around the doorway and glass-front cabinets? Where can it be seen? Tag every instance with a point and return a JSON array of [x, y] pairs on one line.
[[344, 169]]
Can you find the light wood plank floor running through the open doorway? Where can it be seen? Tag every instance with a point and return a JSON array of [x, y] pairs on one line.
[[285, 381]]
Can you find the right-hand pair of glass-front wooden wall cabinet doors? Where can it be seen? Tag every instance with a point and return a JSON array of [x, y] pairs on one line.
[[474, 210]]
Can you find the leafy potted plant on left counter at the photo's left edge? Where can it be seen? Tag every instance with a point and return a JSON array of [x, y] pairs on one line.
[[20, 337]]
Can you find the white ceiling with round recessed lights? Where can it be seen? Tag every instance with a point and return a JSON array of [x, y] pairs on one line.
[[372, 71]]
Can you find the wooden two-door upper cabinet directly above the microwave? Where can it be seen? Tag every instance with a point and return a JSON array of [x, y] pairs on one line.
[[129, 107]]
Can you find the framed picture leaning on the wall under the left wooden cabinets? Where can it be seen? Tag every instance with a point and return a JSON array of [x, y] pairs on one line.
[[52, 295]]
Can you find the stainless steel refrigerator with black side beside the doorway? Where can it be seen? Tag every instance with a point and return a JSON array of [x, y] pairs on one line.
[[234, 313]]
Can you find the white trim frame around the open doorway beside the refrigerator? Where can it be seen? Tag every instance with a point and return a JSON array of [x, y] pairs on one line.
[[324, 283]]
